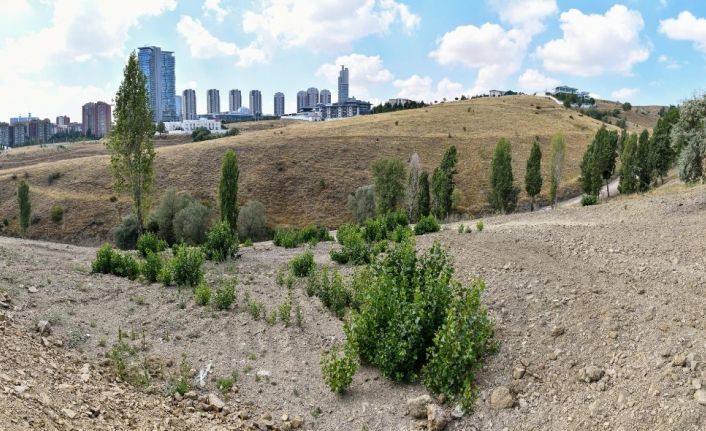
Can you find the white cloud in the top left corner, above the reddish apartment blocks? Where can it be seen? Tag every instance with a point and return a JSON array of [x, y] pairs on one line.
[[80, 30]]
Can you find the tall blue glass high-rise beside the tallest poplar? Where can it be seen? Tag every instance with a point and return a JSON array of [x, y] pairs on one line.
[[158, 67]]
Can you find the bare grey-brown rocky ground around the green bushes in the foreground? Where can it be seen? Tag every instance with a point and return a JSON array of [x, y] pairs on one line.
[[600, 312]]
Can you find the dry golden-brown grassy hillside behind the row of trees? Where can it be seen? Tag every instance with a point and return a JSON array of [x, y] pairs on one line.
[[301, 172]]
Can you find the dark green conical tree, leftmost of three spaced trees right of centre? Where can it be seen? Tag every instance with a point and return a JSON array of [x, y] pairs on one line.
[[503, 193]]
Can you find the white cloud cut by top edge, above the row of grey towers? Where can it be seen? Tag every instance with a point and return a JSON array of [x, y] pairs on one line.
[[325, 24]]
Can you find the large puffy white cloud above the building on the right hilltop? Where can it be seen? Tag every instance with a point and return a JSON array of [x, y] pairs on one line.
[[611, 45]]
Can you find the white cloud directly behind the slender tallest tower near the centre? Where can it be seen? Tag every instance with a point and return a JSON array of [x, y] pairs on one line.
[[364, 71]]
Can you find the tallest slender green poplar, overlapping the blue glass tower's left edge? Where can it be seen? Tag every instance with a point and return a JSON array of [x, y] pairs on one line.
[[130, 144]]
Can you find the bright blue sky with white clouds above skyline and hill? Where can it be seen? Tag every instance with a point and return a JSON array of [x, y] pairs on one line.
[[58, 54]]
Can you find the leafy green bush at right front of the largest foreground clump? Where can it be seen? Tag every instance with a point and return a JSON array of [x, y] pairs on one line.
[[460, 346]]
